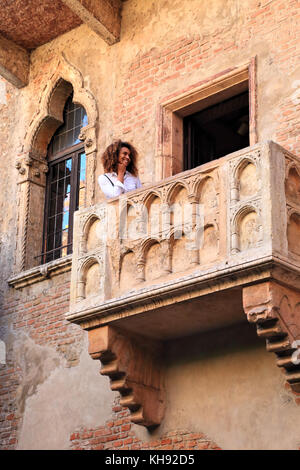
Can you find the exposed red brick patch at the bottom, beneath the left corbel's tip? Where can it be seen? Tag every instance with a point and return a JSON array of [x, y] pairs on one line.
[[118, 434]]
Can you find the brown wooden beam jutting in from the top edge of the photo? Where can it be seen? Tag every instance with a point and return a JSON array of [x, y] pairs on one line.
[[102, 16]]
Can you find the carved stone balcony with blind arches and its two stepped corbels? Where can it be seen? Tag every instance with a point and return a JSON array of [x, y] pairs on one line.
[[192, 253]]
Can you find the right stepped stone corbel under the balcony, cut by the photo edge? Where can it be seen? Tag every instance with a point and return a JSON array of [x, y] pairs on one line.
[[274, 310]]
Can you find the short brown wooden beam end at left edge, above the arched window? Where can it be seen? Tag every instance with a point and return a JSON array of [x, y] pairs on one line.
[[14, 63]]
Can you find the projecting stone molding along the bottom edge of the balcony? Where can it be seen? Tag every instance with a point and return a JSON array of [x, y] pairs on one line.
[[182, 289]]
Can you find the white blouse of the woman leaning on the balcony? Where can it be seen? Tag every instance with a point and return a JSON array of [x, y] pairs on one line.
[[112, 187]]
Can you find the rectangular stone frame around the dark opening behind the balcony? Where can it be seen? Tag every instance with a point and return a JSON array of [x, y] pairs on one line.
[[173, 108]]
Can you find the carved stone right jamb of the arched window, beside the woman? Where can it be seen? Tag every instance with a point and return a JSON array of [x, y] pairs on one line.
[[88, 135]]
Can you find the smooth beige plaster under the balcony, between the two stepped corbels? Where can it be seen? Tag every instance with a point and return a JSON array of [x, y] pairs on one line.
[[233, 387]]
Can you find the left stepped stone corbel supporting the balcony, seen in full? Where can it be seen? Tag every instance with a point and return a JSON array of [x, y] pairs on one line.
[[134, 369]]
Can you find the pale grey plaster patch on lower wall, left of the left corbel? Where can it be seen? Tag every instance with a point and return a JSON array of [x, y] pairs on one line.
[[68, 398]]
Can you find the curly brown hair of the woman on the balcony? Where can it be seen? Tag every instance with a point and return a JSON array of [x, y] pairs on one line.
[[111, 155]]
